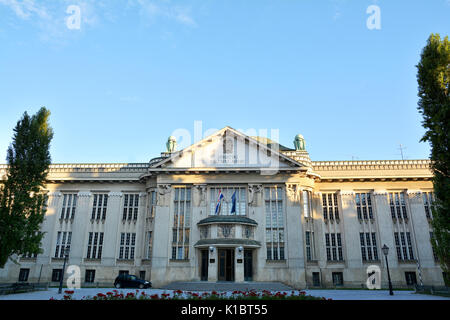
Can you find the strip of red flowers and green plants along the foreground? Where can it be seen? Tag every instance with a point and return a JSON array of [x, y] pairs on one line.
[[189, 295]]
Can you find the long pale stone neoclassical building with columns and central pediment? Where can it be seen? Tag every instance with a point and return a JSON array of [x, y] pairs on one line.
[[237, 208]]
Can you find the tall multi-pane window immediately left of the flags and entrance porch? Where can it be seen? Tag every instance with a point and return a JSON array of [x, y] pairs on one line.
[[181, 223]]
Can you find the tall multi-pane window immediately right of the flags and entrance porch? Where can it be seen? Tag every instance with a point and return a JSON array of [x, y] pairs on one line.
[[273, 198]]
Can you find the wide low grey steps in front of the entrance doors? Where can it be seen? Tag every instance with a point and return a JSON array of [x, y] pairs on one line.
[[226, 286]]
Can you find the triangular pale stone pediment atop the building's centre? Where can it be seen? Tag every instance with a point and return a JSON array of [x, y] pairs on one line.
[[228, 148]]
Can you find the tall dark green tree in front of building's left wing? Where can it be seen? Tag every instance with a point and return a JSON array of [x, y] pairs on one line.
[[22, 200]]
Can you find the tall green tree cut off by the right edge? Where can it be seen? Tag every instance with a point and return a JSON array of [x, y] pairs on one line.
[[434, 104]]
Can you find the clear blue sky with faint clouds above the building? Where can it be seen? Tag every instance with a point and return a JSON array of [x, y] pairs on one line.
[[137, 70]]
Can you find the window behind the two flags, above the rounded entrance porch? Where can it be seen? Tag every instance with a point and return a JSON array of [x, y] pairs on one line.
[[233, 201]]
